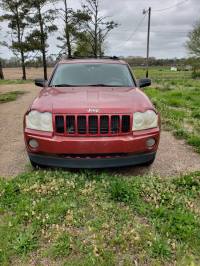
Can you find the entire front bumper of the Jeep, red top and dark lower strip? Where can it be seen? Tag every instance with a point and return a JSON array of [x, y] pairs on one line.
[[82, 152]]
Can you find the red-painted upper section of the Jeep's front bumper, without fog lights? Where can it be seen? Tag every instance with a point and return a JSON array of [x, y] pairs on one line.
[[92, 145]]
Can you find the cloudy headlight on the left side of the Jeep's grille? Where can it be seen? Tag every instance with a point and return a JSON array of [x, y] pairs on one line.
[[39, 121]]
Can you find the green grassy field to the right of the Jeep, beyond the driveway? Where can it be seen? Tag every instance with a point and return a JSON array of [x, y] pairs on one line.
[[177, 97]]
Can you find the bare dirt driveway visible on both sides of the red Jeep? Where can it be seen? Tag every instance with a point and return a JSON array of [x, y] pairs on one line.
[[174, 156]]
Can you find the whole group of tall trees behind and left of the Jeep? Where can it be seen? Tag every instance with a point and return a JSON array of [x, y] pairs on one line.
[[30, 23]]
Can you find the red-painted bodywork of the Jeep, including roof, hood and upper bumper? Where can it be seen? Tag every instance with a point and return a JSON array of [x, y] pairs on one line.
[[77, 101]]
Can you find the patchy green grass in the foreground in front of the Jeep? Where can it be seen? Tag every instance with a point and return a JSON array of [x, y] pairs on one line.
[[91, 218]]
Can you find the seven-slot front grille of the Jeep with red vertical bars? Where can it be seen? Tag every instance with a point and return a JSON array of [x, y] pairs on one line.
[[92, 125]]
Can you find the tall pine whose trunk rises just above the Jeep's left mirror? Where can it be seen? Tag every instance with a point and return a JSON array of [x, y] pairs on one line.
[[42, 21]]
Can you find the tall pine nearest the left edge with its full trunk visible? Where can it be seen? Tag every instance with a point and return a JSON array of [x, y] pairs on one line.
[[16, 13]]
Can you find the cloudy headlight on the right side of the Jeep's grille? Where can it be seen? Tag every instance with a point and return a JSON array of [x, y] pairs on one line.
[[146, 120]]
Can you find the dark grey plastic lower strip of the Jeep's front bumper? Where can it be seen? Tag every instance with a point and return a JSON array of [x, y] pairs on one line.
[[59, 162]]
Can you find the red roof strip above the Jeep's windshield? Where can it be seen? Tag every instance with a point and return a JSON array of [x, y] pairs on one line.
[[93, 60]]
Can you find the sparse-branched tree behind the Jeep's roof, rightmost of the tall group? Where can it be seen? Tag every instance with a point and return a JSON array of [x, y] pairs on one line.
[[98, 28]]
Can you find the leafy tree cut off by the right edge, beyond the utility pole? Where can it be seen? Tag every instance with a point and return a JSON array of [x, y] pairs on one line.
[[193, 44]]
